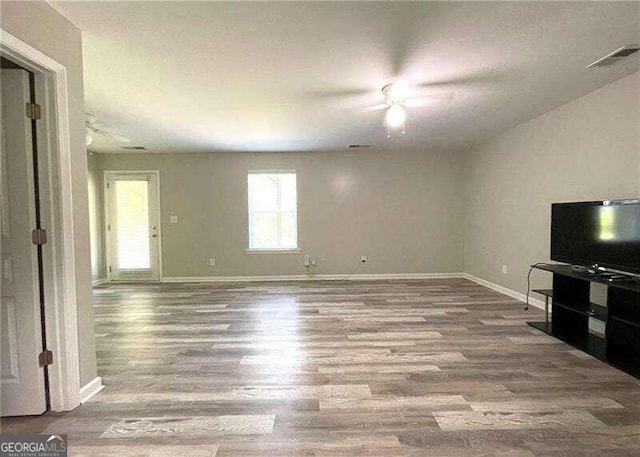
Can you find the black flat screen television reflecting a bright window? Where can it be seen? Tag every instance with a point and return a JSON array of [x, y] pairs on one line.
[[605, 234]]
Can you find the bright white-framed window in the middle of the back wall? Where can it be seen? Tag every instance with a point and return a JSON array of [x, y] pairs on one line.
[[273, 214]]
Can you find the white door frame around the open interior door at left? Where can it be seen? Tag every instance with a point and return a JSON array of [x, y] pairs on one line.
[[56, 203]]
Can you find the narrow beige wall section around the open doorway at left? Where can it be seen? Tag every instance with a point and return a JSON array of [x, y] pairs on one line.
[[39, 25]]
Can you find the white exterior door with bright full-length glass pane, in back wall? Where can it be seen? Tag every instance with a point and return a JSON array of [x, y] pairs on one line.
[[132, 226]]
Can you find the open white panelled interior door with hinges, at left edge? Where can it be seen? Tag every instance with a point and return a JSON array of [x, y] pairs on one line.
[[22, 382]]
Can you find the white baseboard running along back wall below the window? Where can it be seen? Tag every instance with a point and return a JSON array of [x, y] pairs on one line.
[[338, 277]]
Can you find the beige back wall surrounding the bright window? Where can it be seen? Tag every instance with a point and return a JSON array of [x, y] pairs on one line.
[[401, 209]]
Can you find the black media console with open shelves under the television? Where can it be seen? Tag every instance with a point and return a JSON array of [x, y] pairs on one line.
[[571, 310]]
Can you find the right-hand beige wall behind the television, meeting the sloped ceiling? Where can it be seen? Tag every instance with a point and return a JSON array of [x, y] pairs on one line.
[[588, 149]]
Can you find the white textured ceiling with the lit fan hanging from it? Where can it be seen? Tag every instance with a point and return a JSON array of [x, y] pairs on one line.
[[208, 76]]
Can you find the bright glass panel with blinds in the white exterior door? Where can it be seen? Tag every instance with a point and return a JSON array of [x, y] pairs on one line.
[[132, 215]]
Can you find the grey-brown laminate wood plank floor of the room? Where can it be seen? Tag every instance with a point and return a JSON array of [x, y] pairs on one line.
[[424, 368]]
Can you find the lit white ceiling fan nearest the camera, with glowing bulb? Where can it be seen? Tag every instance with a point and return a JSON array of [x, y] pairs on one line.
[[398, 97]]
